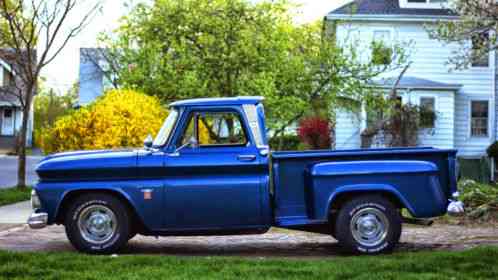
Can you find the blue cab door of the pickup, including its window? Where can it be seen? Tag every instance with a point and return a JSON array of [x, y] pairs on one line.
[[216, 183]]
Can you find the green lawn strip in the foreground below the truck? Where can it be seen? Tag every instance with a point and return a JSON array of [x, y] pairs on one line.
[[480, 263]]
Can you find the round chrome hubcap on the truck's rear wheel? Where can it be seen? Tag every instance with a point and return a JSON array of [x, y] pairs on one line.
[[369, 227]]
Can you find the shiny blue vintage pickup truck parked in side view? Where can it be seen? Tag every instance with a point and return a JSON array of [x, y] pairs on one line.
[[209, 171]]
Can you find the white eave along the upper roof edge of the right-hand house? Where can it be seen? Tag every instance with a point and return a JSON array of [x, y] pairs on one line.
[[405, 18]]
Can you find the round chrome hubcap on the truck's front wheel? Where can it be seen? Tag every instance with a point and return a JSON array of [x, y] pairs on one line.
[[97, 224]]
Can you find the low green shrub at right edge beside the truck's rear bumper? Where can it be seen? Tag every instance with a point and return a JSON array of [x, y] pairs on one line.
[[481, 200]]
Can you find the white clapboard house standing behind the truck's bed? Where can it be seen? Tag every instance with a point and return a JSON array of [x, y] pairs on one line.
[[464, 101]]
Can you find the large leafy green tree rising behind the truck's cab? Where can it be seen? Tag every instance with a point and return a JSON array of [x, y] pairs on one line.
[[200, 48]]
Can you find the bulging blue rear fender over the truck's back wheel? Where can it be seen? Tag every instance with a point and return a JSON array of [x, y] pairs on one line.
[[414, 184]]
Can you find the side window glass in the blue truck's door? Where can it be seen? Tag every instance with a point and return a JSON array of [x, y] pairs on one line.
[[215, 129]]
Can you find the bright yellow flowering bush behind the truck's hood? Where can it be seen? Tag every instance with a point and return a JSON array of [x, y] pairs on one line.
[[120, 118]]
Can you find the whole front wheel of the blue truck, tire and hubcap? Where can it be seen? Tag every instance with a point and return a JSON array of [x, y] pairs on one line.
[[97, 224]]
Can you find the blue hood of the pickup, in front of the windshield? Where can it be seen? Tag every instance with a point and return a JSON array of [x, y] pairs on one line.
[[86, 165]]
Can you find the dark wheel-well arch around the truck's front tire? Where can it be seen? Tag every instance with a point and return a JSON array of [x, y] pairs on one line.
[[71, 196]]
